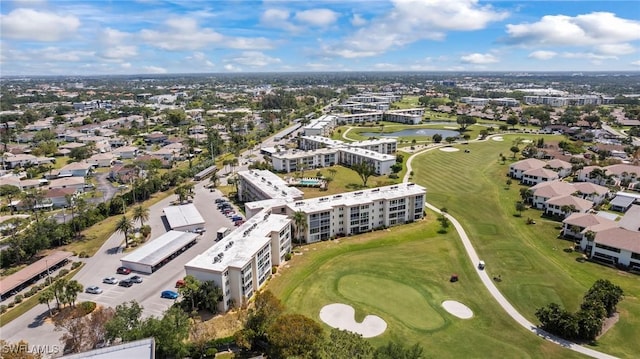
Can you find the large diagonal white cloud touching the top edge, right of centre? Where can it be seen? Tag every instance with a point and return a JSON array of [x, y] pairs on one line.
[[411, 21]]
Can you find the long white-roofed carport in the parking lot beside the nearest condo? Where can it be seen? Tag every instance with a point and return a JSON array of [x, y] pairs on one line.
[[153, 255]]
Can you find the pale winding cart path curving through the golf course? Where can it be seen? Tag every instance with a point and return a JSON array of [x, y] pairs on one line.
[[488, 282]]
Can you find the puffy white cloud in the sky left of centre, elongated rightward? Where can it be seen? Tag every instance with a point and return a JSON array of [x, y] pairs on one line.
[[185, 34]]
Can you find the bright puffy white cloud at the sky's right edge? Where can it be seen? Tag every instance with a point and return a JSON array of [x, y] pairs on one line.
[[596, 28]]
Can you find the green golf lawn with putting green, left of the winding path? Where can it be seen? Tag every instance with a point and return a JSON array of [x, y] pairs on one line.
[[402, 275]]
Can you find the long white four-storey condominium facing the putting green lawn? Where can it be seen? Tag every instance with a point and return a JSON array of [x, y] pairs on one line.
[[361, 211]]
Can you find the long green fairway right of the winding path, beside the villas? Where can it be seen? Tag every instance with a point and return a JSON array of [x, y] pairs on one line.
[[532, 261]]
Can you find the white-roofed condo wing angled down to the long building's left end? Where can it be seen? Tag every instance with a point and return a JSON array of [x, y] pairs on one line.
[[257, 185]]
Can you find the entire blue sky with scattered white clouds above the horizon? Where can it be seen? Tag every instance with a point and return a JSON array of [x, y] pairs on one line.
[[58, 37]]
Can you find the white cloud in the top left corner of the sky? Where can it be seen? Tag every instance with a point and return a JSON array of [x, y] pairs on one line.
[[33, 25]]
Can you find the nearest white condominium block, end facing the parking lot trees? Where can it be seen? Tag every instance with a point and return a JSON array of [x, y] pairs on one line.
[[240, 263]]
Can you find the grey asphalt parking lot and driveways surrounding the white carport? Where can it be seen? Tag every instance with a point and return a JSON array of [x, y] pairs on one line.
[[32, 325]]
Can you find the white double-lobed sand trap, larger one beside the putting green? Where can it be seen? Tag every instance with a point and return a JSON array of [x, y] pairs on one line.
[[342, 316]]
